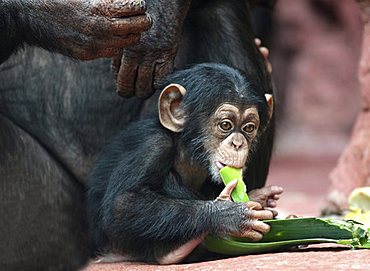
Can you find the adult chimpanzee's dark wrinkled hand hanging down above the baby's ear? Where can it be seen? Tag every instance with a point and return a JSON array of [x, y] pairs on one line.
[[138, 66]]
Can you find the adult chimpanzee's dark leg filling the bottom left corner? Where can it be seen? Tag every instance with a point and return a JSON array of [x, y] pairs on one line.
[[42, 213]]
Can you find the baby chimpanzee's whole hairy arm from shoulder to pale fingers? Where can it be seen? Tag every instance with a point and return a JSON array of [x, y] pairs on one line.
[[144, 211]]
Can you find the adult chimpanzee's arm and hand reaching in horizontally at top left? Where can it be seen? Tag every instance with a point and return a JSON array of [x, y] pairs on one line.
[[80, 29]]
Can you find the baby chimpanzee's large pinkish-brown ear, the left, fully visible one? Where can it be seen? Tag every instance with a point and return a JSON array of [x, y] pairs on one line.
[[171, 115]]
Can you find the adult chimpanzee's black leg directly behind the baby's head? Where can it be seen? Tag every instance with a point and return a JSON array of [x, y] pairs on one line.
[[220, 31]]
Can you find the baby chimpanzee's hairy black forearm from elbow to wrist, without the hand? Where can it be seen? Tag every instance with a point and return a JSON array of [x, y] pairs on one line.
[[151, 225]]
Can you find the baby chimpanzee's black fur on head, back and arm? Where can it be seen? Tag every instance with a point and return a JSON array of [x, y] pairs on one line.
[[137, 202]]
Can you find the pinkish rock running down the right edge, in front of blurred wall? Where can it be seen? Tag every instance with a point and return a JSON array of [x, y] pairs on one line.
[[353, 168]]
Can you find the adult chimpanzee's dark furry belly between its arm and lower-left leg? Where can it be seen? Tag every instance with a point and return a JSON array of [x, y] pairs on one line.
[[69, 107]]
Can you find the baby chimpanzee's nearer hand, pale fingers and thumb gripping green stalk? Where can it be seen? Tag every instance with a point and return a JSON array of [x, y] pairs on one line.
[[251, 225]]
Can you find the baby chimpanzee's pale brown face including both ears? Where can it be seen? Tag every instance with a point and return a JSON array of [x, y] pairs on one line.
[[214, 135]]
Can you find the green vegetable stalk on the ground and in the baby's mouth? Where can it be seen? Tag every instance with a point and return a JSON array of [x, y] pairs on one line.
[[286, 233]]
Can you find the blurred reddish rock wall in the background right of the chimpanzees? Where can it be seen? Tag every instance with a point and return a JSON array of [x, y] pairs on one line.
[[315, 60]]
